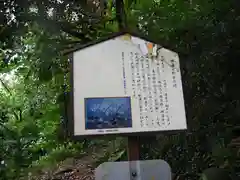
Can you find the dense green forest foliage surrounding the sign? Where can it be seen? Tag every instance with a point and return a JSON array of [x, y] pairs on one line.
[[34, 75]]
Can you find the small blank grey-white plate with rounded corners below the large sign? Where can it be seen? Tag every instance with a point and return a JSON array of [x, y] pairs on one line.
[[134, 170]]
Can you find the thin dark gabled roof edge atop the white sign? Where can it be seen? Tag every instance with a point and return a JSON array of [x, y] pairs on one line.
[[114, 35]]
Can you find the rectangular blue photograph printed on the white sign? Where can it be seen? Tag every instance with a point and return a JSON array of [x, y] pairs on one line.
[[108, 112]]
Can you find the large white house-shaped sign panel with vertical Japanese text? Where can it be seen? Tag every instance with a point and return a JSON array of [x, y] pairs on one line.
[[127, 85]]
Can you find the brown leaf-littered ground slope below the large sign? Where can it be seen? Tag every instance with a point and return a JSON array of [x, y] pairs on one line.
[[81, 168]]
